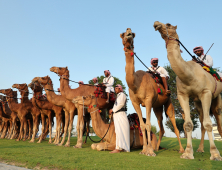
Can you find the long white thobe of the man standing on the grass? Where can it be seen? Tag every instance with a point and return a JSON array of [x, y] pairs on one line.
[[121, 123]]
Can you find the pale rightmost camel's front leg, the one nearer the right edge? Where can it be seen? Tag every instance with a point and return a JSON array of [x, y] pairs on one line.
[[205, 99]]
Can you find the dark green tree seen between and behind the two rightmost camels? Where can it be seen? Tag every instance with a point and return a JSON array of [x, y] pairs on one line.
[[176, 104]]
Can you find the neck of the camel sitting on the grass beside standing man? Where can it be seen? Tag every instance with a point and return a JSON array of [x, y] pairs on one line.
[[99, 127]]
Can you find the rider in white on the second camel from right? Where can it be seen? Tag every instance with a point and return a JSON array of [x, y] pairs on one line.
[[161, 71]]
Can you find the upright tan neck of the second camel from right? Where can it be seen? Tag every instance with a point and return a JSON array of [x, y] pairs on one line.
[[130, 71]]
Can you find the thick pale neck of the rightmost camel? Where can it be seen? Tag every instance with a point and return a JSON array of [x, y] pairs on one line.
[[181, 68]]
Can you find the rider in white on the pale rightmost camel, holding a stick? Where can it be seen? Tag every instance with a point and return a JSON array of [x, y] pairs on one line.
[[208, 60]]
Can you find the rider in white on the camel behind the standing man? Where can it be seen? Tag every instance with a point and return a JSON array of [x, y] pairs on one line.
[[108, 82]]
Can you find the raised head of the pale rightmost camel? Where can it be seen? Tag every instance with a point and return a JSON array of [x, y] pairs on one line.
[[166, 29]]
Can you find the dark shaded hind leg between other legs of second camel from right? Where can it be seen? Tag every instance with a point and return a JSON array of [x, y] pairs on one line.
[[158, 112]]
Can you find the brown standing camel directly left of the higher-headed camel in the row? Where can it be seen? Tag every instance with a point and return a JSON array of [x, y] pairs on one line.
[[59, 102]]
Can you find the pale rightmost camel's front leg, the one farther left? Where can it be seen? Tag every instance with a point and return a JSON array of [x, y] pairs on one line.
[[184, 102]]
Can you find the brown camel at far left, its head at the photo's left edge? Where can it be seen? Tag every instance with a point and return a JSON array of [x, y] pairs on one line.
[[12, 97]]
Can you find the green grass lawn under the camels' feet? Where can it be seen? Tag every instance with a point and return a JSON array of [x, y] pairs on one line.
[[55, 157]]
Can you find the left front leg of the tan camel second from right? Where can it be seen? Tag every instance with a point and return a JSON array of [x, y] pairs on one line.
[[142, 126]]
